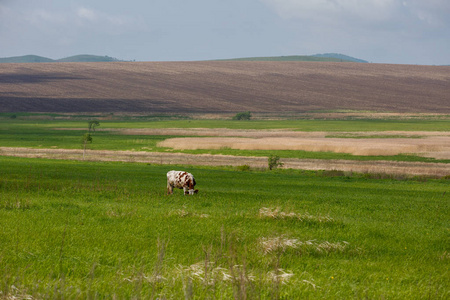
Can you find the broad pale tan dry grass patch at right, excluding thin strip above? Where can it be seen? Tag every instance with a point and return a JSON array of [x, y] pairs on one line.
[[355, 146]]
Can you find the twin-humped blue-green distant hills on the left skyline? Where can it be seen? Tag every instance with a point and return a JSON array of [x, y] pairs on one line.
[[76, 58]]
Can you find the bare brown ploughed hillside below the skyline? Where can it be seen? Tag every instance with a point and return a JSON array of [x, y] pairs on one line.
[[219, 86]]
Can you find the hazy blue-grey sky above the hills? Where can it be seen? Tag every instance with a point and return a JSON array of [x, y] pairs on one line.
[[379, 31]]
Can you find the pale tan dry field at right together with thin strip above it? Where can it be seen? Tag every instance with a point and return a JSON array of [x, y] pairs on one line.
[[428, 144]]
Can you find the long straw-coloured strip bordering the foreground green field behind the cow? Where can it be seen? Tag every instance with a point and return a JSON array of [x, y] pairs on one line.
[[387, 167]]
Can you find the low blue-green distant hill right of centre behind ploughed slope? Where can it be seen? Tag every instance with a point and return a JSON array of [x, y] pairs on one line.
[[327, 57]]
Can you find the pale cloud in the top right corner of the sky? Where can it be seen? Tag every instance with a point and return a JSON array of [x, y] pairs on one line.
[[369, 13]]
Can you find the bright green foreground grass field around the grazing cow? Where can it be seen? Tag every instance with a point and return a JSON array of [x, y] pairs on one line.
[[81, 230]]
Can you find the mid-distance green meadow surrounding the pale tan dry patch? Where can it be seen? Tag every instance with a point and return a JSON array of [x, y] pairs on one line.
[[67, 134]]
